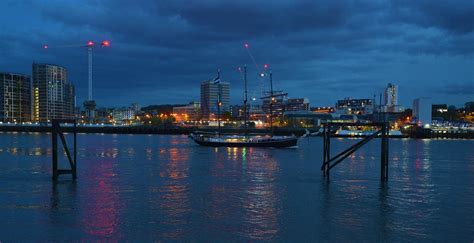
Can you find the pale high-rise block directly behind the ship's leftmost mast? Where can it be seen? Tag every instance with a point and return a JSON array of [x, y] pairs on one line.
[[210, 92]]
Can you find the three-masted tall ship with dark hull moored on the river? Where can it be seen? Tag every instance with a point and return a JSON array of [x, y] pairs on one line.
[[246, 140]]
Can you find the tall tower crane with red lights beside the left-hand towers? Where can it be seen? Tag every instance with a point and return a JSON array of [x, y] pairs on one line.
[[89, 104]]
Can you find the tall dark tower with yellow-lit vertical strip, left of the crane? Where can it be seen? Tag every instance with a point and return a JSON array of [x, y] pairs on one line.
[[53, 94]]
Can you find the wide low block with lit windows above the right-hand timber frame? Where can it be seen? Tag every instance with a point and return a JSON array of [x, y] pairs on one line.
[[350, 106]]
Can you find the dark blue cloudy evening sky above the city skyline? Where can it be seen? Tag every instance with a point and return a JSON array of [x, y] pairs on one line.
[[323, 50]]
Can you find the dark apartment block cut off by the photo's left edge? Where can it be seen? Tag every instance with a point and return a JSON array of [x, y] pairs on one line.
[[15, 97]]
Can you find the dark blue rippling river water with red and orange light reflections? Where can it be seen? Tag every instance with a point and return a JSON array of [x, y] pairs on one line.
[[159, 187]]
